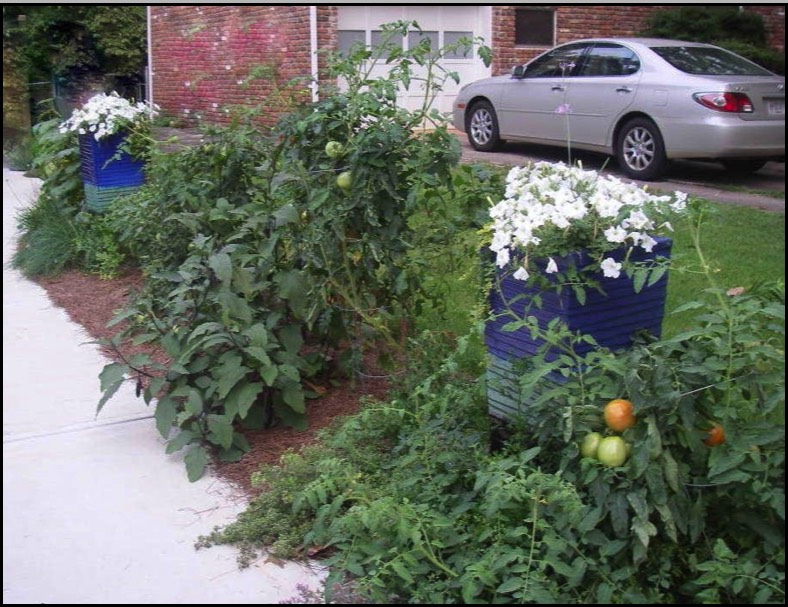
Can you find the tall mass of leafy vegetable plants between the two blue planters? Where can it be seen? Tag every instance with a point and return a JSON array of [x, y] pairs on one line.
[[265, 265]]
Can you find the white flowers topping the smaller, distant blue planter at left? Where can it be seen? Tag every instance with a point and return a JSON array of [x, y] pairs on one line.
[[106, 114]]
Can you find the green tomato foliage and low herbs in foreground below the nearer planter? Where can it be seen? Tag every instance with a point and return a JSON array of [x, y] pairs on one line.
[[405, 499]]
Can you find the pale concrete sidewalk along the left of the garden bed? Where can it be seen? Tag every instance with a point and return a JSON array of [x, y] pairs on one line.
[[93, 510]]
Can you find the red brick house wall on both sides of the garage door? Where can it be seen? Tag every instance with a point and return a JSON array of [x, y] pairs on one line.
[[205, 58]]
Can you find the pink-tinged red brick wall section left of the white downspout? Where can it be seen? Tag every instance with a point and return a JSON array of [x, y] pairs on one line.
[[206, 58]]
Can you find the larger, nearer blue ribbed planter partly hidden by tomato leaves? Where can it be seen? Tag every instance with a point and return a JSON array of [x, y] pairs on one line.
[[612, 319]]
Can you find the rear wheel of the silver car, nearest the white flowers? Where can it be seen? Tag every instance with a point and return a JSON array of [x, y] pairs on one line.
[[640, 150]]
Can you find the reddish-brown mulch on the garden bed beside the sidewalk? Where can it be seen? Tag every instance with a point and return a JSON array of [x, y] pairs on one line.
[[93, 302]]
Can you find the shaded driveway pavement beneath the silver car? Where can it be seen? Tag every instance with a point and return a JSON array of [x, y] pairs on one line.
[[705, 179]]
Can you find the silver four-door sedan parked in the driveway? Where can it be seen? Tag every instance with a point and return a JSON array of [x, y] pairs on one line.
[[644, 101]]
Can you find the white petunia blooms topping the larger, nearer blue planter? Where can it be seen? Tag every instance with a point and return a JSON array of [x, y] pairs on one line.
[[545, 198]]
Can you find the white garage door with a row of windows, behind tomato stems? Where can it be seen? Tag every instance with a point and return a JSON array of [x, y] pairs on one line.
[[442, 24]]
